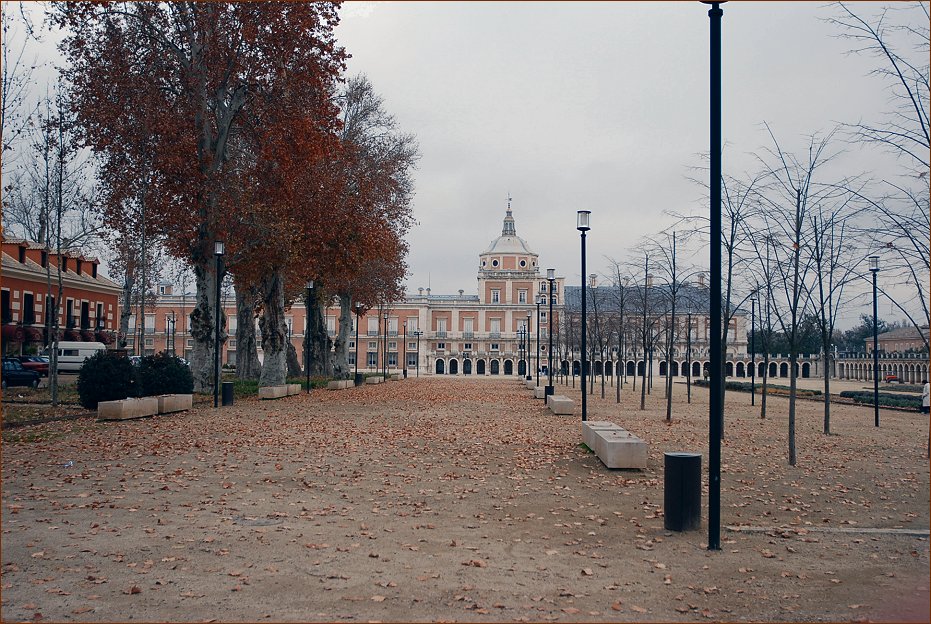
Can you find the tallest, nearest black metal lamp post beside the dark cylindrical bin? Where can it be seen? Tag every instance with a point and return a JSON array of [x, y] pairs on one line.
[[716, 411]]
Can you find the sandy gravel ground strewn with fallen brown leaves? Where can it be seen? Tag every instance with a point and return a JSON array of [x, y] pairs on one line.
[[460, 499]]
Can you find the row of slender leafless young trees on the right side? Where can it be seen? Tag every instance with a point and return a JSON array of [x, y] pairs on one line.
[[797, 232]]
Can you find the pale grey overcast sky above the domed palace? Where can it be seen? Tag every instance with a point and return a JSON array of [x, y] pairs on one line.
[[600, 106]]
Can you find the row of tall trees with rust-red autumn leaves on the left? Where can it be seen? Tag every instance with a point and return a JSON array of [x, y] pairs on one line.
[[233, 122]]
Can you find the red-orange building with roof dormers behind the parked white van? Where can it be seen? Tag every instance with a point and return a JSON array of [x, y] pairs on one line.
[[89, 310]]
